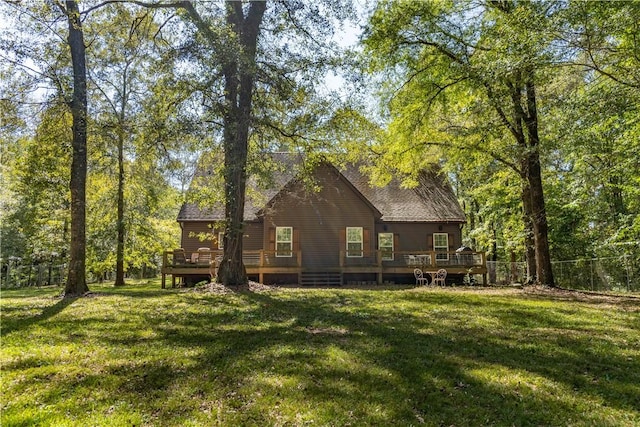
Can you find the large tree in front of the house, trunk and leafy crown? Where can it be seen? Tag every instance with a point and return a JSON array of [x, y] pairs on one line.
[[238, 68]]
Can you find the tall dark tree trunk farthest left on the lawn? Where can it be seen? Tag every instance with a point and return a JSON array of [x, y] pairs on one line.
[[76, 280]]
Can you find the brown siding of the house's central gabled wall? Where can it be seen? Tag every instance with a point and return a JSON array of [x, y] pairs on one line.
[[319, 218]]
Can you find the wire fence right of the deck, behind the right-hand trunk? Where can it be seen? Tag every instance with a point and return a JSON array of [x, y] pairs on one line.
[[620, 274]]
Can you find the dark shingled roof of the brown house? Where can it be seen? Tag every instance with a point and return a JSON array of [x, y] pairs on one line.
[[432, 200]]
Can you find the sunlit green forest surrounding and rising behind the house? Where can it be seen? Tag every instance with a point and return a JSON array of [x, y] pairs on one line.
[[428, 82]]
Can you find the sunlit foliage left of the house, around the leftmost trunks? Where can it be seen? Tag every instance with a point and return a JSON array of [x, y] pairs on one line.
[[37, 170]]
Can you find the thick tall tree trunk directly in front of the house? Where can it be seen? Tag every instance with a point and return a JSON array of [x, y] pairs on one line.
[[239, 74]]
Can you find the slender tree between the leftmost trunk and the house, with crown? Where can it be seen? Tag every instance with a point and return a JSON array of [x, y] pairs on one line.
[[121, 58]]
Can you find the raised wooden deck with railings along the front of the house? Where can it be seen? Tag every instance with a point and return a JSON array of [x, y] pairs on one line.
[[262, 264]]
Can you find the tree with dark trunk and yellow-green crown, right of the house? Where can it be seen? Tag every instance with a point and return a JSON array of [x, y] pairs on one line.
[[470, 84]]
